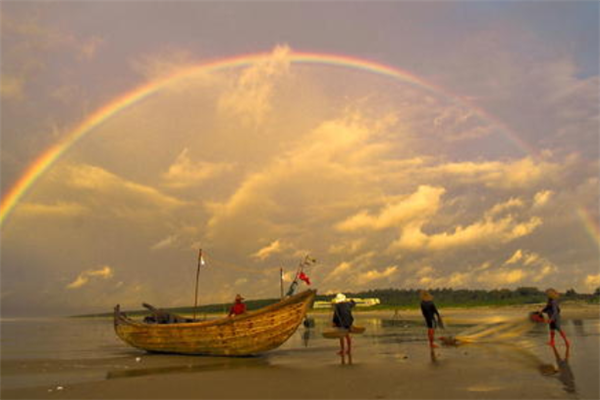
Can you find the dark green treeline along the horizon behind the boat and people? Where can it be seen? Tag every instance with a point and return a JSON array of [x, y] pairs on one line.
[[407, 298]]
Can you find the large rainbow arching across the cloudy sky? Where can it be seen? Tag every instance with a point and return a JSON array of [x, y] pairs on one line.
[[45, 160]]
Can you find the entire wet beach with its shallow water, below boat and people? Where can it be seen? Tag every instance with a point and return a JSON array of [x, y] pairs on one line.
[[390, 360]]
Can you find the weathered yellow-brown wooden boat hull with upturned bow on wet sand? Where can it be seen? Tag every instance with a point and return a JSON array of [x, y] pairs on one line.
[[250, 333]]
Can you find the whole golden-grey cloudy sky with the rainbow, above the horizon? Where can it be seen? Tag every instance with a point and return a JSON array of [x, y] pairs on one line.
[[401, 144]]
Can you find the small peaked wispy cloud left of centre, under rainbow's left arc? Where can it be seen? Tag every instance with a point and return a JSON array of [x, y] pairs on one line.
[[184, 172]]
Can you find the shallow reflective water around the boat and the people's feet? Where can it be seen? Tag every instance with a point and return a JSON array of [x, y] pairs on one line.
[[65, 351]]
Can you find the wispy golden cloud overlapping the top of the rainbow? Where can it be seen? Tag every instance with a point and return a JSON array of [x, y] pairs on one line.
[[250, 98]]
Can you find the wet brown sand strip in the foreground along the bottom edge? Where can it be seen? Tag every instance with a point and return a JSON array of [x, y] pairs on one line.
[[257, 379]]
